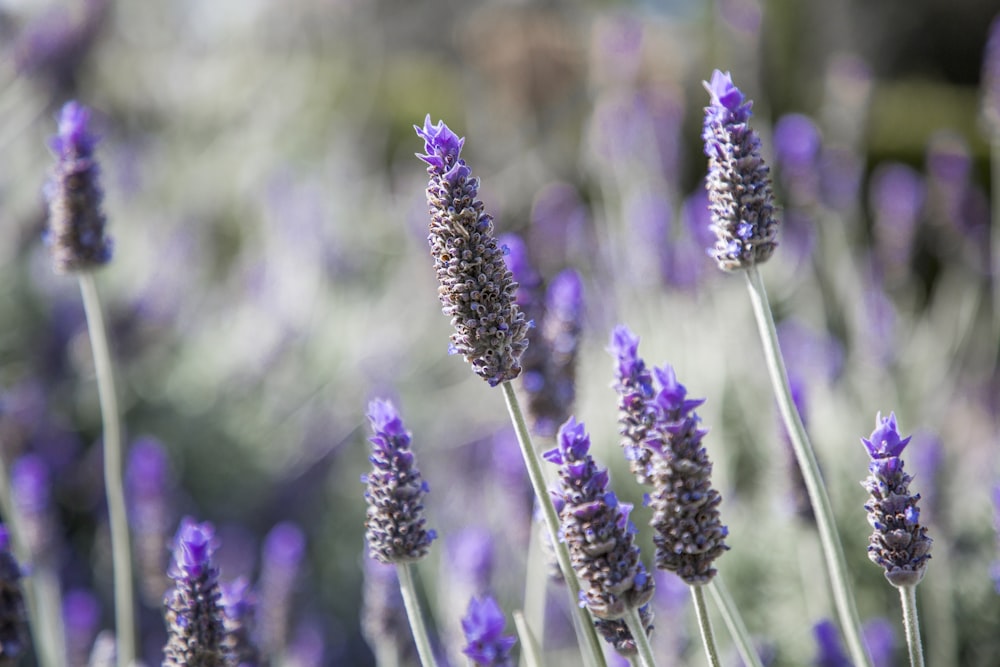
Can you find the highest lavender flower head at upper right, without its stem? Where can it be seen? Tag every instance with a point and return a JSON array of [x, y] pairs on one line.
[[738, 183]]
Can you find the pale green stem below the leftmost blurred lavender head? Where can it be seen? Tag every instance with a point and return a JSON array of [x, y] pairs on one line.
[[121, 552]]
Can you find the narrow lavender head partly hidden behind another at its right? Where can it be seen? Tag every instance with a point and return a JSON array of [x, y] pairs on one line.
[[634, 385]]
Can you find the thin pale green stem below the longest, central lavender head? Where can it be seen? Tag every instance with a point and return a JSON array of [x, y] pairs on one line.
[[590, 644]]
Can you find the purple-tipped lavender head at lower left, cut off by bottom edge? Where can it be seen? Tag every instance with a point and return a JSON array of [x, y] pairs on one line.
[[194, 614]]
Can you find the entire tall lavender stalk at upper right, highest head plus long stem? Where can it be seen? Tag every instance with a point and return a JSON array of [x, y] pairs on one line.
[[741, 203]]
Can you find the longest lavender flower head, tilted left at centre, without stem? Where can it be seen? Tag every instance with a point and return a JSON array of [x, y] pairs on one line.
[[476, 289]]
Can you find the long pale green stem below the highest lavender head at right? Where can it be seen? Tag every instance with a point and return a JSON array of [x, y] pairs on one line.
[[833, 551]]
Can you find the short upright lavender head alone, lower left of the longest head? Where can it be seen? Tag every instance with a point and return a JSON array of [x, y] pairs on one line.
[[395, 524]]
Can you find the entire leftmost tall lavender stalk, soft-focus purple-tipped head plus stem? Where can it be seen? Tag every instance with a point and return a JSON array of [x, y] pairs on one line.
[[78, 244]]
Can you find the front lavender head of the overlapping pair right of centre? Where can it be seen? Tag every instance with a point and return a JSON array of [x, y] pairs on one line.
[[689, 531]]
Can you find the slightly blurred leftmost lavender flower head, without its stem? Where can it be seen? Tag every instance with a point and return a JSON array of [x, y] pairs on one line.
[[76, 223]]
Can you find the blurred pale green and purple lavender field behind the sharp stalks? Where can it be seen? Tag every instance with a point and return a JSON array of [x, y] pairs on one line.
[[271, 275]]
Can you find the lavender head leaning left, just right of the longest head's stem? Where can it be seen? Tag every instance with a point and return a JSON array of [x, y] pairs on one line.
[[596, 530]]
